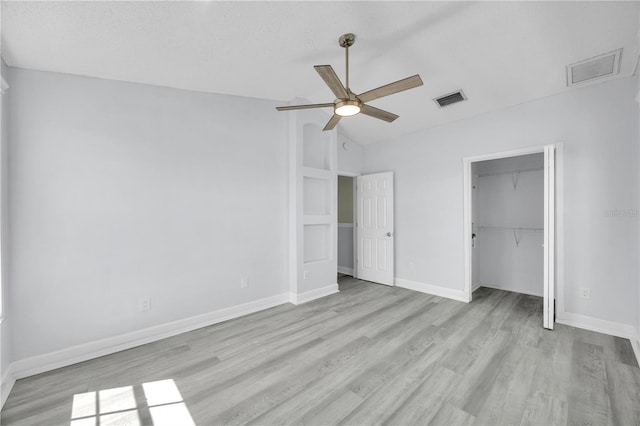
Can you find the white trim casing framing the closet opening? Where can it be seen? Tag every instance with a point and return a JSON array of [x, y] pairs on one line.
[[557, 268]]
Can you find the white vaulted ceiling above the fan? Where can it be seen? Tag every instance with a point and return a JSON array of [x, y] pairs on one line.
[[499, 53]]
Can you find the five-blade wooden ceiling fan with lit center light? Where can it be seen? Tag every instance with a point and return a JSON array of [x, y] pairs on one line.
[[347, 102]]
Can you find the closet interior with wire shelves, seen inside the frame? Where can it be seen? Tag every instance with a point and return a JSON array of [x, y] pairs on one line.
[[508, 224]]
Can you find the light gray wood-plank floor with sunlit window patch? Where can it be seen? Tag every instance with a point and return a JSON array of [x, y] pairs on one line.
[[369, 355]]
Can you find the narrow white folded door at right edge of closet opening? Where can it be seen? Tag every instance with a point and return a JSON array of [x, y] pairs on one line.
[[549, 237]]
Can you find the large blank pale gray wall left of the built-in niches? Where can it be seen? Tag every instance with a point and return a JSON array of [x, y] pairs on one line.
[[121, 191]]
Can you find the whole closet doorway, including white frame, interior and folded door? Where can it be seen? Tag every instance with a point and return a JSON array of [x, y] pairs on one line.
[[509, 224]]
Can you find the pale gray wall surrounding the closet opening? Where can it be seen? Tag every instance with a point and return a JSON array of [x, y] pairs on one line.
[[598, 127]]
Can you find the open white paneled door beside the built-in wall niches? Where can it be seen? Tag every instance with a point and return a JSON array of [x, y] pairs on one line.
[[374, 228]]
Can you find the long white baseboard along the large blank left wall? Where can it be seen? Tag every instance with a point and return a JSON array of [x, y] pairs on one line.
[[83, 352]]
